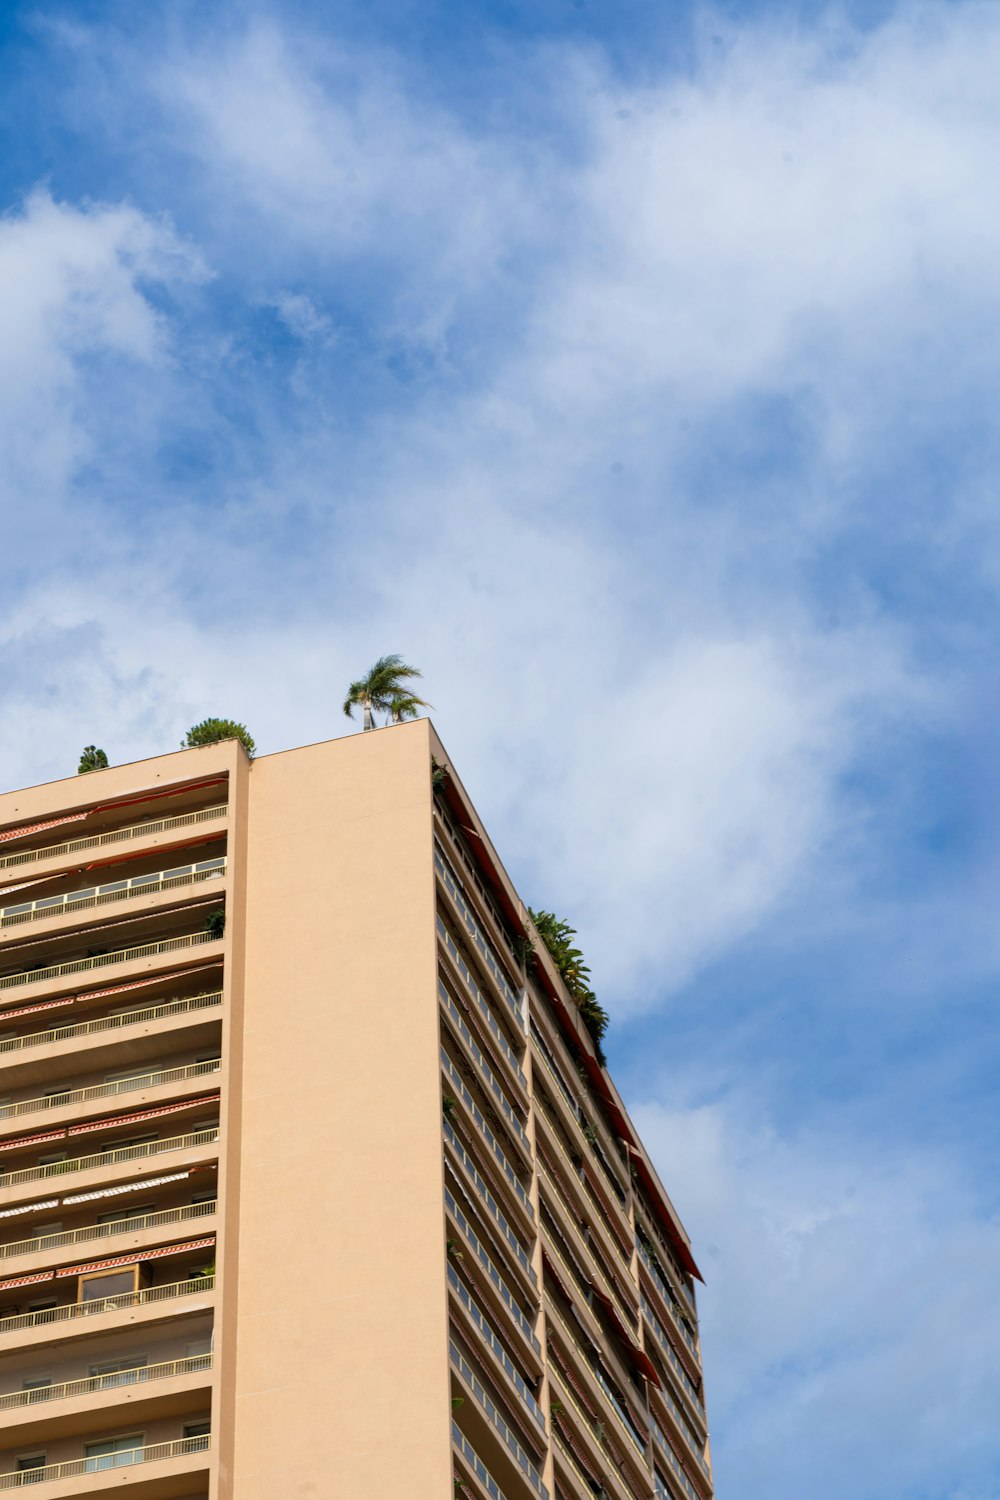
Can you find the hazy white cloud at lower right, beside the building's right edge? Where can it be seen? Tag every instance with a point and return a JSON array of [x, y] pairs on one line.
[[849, 1321]]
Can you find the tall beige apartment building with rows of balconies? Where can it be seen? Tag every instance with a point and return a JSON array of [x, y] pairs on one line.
[[308, 1187]]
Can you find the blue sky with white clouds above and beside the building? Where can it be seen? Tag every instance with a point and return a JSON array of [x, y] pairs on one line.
[[633, 370]]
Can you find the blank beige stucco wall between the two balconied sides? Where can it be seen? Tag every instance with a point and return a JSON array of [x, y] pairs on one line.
[[343, 1376]]
